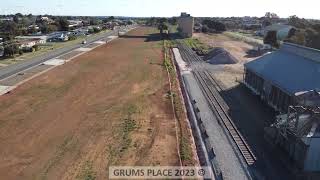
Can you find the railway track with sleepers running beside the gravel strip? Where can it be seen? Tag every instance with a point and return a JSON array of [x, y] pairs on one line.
[[210, 87]]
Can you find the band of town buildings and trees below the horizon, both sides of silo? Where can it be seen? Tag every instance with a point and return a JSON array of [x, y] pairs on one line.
[[28, 33]]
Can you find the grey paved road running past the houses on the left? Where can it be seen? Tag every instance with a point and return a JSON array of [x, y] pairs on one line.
[[16, 68]]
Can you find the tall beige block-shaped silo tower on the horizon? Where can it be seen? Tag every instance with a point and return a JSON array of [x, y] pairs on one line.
[[185, 25]]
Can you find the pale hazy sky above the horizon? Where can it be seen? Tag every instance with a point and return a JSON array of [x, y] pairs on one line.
[[221, 8]]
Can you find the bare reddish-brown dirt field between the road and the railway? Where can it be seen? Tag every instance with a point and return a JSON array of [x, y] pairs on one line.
[[106, 107]]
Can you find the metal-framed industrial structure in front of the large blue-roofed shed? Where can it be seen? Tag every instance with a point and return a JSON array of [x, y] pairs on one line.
[[297, 135]]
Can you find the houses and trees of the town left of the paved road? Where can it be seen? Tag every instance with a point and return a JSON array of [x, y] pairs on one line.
[[21, 34]]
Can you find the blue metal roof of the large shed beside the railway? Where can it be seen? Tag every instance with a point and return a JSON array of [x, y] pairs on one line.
[[292, 68]]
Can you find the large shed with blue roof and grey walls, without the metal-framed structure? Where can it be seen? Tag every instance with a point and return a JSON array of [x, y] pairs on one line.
[[279, 77]]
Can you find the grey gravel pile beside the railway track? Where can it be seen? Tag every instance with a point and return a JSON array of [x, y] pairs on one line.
[[220, 56]]
